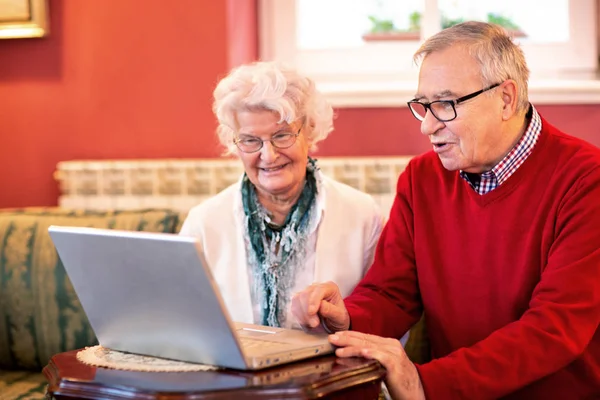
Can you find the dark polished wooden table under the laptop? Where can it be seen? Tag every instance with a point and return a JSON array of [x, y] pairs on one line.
[[326, 377]]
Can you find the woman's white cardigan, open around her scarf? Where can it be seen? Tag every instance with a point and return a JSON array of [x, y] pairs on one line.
[[343, 245]]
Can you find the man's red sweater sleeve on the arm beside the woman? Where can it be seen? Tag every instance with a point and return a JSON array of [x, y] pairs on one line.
[[390, 286]]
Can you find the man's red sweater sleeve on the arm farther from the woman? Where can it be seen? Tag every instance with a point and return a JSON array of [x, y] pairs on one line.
[[562, 318]]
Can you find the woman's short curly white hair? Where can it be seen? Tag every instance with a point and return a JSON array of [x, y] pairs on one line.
[[271, 86]]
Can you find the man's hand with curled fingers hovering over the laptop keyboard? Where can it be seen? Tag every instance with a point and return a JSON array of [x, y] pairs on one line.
[[321, 302]]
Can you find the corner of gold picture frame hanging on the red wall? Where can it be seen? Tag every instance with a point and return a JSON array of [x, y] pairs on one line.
[[23, 18]]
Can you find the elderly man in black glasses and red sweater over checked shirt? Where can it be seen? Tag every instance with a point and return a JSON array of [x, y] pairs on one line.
[[494, 235]]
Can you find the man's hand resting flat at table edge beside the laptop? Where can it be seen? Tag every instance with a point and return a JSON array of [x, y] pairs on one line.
[[402, 379]]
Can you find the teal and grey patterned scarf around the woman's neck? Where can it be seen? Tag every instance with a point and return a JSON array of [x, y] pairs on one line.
[[276, 253]]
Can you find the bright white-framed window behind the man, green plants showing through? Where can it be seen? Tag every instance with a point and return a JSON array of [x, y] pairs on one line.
[[341, 43]]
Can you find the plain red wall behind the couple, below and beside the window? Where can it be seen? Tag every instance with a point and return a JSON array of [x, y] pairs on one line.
[[133, 79]]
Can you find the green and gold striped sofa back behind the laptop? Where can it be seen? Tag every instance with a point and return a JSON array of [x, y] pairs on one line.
[[40, 314]]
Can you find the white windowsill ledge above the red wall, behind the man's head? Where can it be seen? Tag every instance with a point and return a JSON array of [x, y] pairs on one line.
[[397, 93]]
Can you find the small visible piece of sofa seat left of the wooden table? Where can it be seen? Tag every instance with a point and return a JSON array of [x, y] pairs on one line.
[[22, 385]]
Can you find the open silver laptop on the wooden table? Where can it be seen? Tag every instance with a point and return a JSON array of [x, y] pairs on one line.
[[153, 294]]
